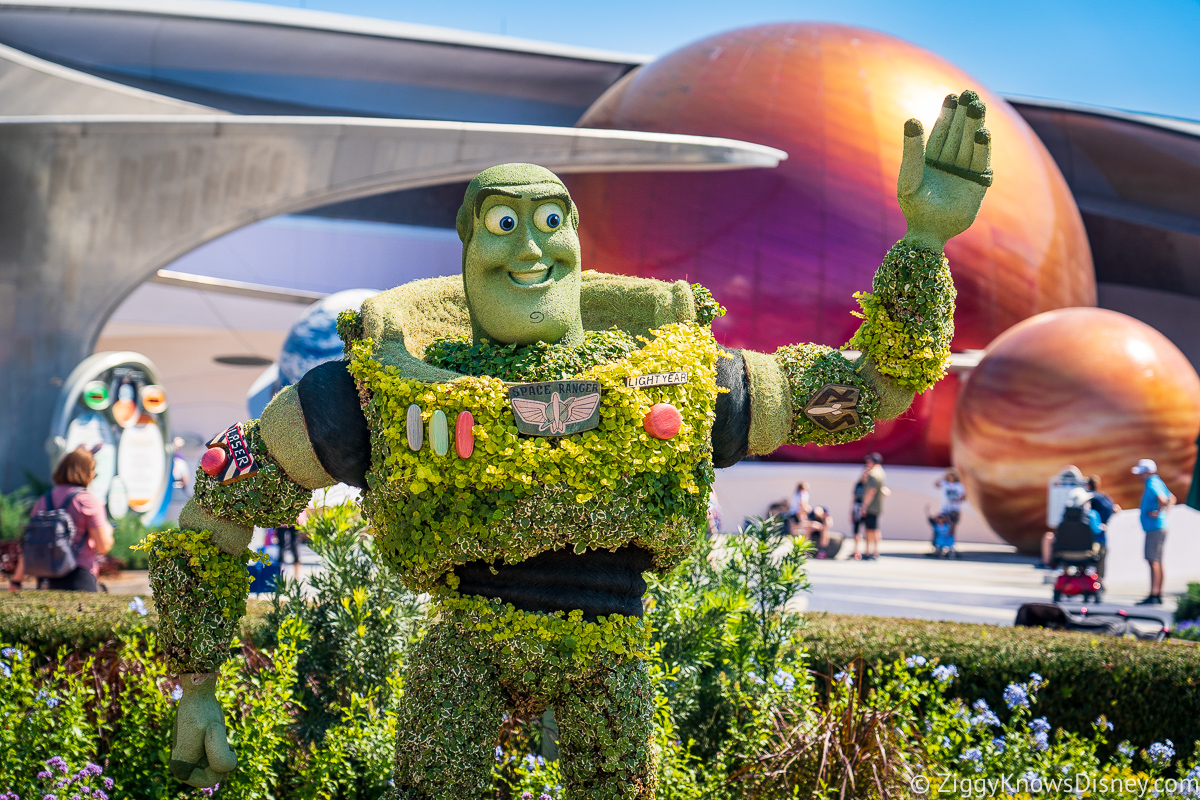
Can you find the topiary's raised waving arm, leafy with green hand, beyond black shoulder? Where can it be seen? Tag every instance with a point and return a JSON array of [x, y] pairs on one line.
[[811, 394]]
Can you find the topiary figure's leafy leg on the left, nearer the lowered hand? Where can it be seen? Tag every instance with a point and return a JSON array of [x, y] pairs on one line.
[[449, 723]]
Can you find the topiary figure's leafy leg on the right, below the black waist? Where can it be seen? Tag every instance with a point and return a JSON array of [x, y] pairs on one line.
[[605, 725]]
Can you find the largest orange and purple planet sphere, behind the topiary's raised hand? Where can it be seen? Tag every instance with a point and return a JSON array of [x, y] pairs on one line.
[[787, 249]]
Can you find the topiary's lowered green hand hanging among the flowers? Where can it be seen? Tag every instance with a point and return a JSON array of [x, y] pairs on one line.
[[201, 755]]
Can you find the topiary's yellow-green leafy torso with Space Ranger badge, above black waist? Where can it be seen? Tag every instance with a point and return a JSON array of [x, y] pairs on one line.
[[519, 496]]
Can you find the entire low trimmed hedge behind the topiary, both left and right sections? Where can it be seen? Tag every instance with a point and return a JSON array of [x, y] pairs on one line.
[[1149, 691]]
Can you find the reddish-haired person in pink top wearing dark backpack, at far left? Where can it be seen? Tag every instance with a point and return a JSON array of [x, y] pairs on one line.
[[68, 530]]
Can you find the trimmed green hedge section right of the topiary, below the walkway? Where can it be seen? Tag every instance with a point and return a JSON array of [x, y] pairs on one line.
[[1149, 691]]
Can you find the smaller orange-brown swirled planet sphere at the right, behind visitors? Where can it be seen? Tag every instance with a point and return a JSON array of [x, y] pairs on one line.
[[1083, 387]]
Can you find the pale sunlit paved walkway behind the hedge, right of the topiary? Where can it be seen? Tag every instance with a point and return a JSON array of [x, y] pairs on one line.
[[987, 585]]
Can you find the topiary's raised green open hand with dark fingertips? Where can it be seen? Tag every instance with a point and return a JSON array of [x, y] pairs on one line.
[[943, 183]]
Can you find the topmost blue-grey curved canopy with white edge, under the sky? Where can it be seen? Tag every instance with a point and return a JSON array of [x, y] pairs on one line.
[[255, 59]]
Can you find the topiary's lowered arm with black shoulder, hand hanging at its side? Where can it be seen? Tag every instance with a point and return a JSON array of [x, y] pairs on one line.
[[199, 573]]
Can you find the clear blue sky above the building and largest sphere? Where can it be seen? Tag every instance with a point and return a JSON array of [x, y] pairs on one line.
[[1132, 55]]
